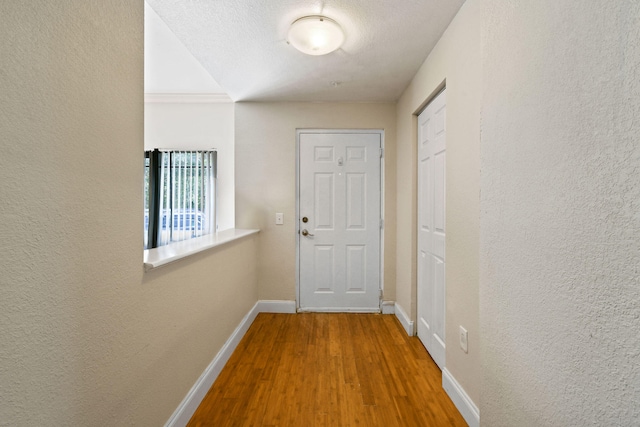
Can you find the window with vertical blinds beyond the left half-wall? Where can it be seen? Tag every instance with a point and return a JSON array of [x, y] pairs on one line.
[[180, 195]]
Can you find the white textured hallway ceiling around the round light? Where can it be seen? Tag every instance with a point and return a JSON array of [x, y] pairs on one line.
[[242, 44]]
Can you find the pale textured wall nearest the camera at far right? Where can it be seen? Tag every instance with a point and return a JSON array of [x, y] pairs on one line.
[[560, 221]]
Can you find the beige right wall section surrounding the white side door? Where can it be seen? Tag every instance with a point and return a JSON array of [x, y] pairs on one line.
[[455, 59]]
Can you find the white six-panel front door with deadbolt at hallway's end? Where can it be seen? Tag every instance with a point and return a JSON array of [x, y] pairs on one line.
[[339, 221]]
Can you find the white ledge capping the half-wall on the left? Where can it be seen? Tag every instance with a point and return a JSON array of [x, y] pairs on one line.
[[157, 257]]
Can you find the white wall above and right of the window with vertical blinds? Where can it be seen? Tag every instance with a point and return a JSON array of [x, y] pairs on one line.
[[186, 122]]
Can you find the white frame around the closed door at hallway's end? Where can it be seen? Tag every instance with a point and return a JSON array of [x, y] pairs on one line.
[[300, 131]]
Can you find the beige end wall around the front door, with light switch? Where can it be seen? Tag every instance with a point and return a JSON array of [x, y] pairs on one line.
[[266, 181]]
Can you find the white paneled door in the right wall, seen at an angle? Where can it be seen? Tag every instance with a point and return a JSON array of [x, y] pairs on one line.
[[431, 227]]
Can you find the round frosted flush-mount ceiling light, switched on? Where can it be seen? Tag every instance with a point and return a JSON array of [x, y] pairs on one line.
[[315, 35]]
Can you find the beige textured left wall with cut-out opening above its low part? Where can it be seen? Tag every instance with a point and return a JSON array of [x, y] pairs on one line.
[[87, 337]]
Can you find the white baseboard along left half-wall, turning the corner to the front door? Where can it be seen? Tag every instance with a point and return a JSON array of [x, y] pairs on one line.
[[192, 400]]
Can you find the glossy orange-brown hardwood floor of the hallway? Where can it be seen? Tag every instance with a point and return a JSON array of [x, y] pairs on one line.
[[316, 369]]
